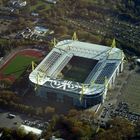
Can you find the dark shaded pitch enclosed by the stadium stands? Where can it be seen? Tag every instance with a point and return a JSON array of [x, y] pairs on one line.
[[78, 69]]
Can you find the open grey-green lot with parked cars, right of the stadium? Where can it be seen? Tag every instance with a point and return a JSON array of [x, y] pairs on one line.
[[121, 100]]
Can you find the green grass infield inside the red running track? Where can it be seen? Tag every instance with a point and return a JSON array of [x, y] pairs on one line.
[[17, 65]]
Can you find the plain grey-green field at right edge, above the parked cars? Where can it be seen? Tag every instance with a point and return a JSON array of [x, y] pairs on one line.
[[131, 92]]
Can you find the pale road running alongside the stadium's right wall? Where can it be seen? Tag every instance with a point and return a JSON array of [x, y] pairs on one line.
[[112, 97]]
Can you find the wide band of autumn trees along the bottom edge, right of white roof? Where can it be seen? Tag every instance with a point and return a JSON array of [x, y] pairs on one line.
[[80, 125]]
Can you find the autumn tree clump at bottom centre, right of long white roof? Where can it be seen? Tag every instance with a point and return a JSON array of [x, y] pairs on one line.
[[71, 127]]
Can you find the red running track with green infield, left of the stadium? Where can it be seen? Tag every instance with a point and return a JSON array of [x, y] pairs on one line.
[[15, 66]]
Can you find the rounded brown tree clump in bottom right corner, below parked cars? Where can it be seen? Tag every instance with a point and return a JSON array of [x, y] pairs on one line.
[[119, 129]]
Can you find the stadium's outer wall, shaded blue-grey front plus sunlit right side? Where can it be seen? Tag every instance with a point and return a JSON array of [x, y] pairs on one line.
[[87, 100]]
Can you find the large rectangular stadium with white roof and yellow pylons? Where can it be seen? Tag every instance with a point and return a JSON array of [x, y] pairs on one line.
[[77, 72]]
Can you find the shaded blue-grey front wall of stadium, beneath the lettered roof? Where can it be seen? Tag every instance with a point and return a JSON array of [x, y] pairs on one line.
[[87, 100]]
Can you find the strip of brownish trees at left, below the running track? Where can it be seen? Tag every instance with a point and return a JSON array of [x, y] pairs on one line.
[[11, 101]]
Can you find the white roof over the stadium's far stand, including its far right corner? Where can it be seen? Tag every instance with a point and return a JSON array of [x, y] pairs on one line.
[[89, 50]]
